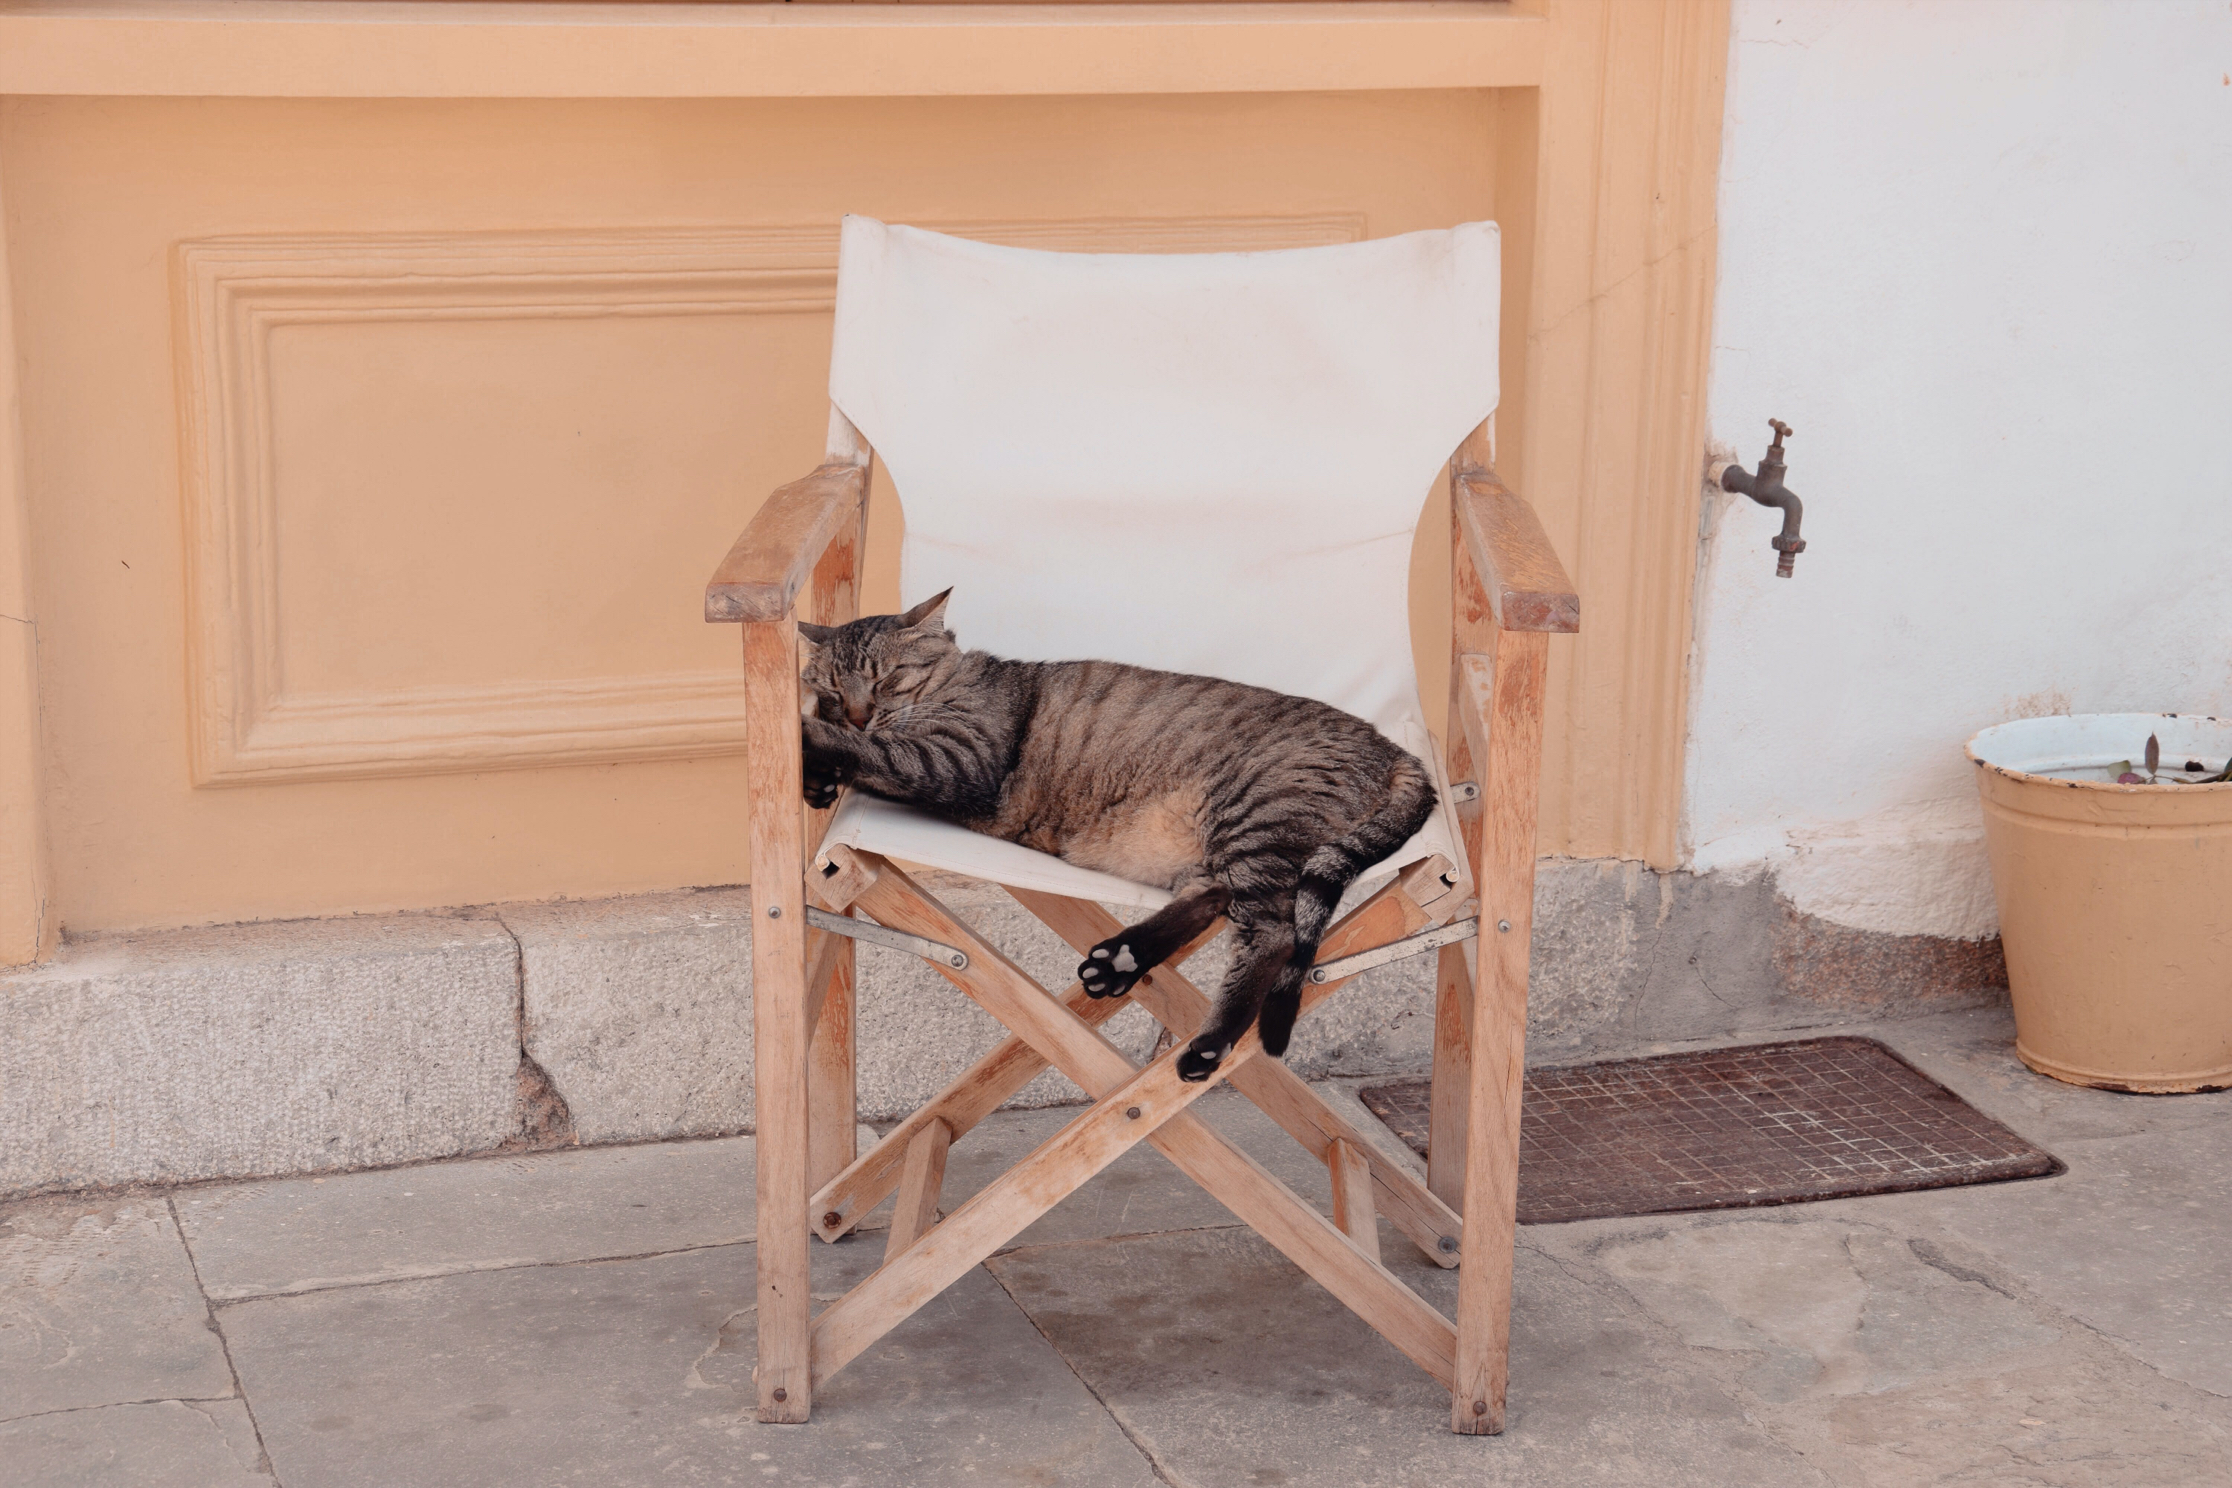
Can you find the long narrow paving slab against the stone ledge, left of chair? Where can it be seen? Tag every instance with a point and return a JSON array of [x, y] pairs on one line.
[[302, 1235]]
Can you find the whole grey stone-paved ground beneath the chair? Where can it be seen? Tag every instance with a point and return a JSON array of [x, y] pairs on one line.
[[588, 1317]]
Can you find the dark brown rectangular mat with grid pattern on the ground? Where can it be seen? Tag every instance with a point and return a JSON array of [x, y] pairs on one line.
[[1738, 1128]]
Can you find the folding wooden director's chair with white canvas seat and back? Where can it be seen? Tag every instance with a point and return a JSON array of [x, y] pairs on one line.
[[1204, 463]]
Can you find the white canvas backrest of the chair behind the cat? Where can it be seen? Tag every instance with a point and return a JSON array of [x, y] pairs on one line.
[[1202, 463]]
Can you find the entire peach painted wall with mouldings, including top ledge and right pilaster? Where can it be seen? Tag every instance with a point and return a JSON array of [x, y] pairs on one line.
[[374, 450]]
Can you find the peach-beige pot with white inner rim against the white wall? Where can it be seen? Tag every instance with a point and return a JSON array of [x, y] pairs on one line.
[[2115, 900]]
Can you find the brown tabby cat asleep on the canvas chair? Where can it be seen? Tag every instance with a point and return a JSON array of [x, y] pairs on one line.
[[1238, 800]]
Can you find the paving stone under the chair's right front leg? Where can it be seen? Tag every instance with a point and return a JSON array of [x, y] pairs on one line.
[[1233, 1369]]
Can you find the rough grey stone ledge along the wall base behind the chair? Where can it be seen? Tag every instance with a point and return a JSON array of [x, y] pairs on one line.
[[325, 1045]]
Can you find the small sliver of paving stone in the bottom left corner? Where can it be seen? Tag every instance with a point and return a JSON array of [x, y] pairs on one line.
[[162, 1444]]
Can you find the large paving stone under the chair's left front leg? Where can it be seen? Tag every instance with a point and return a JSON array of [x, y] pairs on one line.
[[639, 1371]]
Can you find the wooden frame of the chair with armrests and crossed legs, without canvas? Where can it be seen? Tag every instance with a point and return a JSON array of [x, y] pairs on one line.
[[800, 559]]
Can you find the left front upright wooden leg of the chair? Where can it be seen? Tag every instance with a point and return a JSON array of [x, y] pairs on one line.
[[780, 1030]]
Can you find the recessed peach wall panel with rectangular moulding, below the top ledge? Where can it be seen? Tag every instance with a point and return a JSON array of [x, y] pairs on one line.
[[456, 523]]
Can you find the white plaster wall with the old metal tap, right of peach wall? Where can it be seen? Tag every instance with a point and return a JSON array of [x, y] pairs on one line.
[[1981, 258]]
